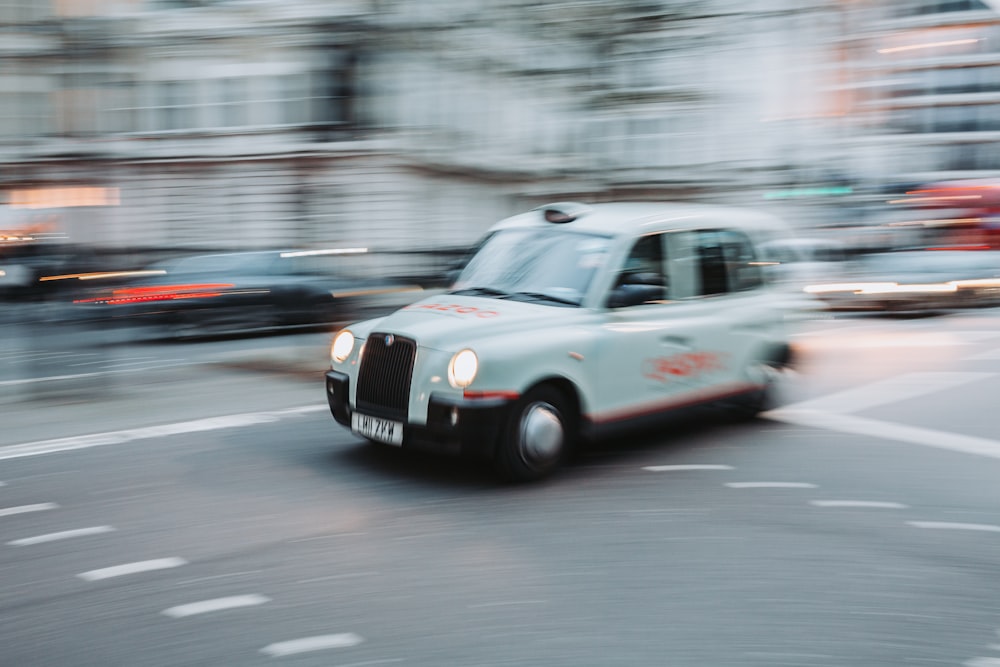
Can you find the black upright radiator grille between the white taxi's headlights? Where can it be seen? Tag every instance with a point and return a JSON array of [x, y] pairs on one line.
[[384, 376]]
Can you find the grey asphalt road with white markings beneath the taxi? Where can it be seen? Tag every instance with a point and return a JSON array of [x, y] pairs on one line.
[[214, 514]]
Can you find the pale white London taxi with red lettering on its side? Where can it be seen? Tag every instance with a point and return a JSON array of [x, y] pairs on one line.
[[571, 321]]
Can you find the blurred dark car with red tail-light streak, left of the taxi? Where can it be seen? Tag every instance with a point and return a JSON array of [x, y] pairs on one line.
[[214, 294]]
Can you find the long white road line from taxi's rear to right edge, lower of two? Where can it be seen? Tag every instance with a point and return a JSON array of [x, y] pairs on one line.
[[955, 442]]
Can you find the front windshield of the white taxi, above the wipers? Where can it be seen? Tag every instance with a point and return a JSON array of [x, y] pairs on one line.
[[544, 265]]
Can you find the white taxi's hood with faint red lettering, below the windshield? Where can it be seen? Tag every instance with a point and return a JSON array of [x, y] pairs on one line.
[[446, 321]]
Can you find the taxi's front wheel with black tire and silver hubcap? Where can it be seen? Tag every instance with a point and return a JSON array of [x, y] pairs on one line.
[[539, 434]]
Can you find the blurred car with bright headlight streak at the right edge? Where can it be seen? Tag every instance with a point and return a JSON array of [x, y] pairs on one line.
[[914, 280]]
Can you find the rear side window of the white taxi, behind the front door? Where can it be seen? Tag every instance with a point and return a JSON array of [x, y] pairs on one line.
[[706, 262]]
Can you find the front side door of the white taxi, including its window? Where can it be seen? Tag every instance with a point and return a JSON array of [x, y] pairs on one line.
[[651, 353]]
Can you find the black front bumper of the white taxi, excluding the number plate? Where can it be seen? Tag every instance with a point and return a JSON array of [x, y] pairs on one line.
[[455, 425]]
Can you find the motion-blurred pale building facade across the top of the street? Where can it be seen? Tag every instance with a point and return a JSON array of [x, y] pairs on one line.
[[414, 125]]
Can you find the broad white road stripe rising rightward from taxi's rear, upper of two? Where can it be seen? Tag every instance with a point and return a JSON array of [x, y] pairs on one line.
[[890, 390]]
